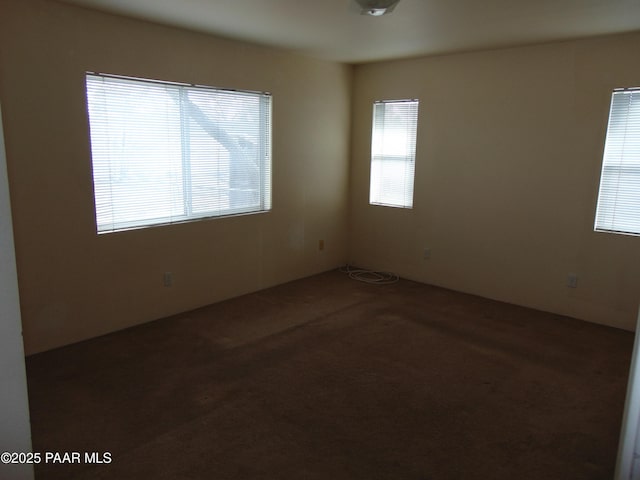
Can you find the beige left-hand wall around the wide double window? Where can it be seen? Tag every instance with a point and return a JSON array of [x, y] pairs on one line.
[[75, 284]]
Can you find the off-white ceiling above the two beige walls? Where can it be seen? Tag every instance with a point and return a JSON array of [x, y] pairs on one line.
[[334, 30]]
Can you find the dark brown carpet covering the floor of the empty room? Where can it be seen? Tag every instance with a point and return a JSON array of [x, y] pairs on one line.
[[328, 378]]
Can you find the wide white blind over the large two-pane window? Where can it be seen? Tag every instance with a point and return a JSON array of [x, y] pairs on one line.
[[166, 152]]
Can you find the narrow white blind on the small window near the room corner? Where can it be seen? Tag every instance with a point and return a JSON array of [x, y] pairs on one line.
[[393, 153]]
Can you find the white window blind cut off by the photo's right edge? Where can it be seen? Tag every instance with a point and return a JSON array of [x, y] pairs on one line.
[[619, 197]]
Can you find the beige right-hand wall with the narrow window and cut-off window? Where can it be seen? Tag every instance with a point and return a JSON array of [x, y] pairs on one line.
[[508, 161]]
